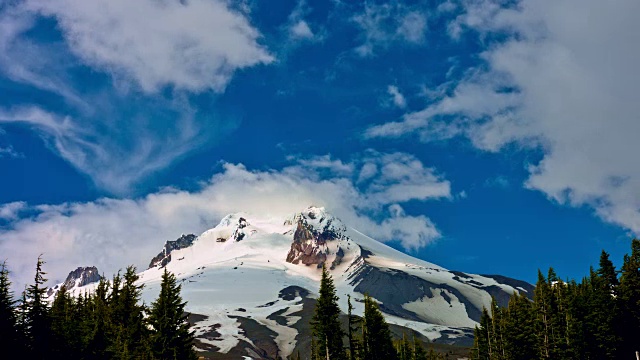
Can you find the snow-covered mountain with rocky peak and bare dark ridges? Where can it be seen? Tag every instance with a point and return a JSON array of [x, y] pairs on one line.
[[250, 284]]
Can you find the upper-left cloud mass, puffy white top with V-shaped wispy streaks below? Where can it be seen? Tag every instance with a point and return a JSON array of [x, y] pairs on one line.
[[157, 55]]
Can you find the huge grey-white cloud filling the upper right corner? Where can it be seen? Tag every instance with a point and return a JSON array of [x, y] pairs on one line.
[[562, 81]]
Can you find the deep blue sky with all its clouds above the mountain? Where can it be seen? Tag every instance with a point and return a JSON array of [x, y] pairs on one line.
[[485, 136]]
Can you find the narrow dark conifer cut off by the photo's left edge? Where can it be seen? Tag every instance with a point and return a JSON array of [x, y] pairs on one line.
[[8, 320]]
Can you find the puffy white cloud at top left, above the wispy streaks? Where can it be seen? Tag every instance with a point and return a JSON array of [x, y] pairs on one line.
[[192, 45]]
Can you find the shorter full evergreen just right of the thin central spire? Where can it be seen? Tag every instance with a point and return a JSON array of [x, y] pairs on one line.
[[377, 340]]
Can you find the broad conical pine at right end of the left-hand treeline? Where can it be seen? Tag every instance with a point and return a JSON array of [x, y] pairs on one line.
[[171, 337]]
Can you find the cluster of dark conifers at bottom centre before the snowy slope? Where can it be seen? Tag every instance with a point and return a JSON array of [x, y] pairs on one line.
[[365, 338]]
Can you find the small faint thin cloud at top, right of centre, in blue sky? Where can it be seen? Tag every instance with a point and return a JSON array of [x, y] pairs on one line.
[[382, 25]]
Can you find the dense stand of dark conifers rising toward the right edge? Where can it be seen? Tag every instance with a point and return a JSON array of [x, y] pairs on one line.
[[596, 318]]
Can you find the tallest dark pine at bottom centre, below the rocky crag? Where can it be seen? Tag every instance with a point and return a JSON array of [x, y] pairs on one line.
[[325, 322]]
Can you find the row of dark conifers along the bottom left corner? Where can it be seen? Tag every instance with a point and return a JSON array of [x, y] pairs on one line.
[[110, 323]]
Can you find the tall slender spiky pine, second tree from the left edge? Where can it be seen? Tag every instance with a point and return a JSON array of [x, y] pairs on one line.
[[37, 321]]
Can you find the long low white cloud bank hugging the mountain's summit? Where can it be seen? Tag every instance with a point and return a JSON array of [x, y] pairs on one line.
[[112, 233]]
